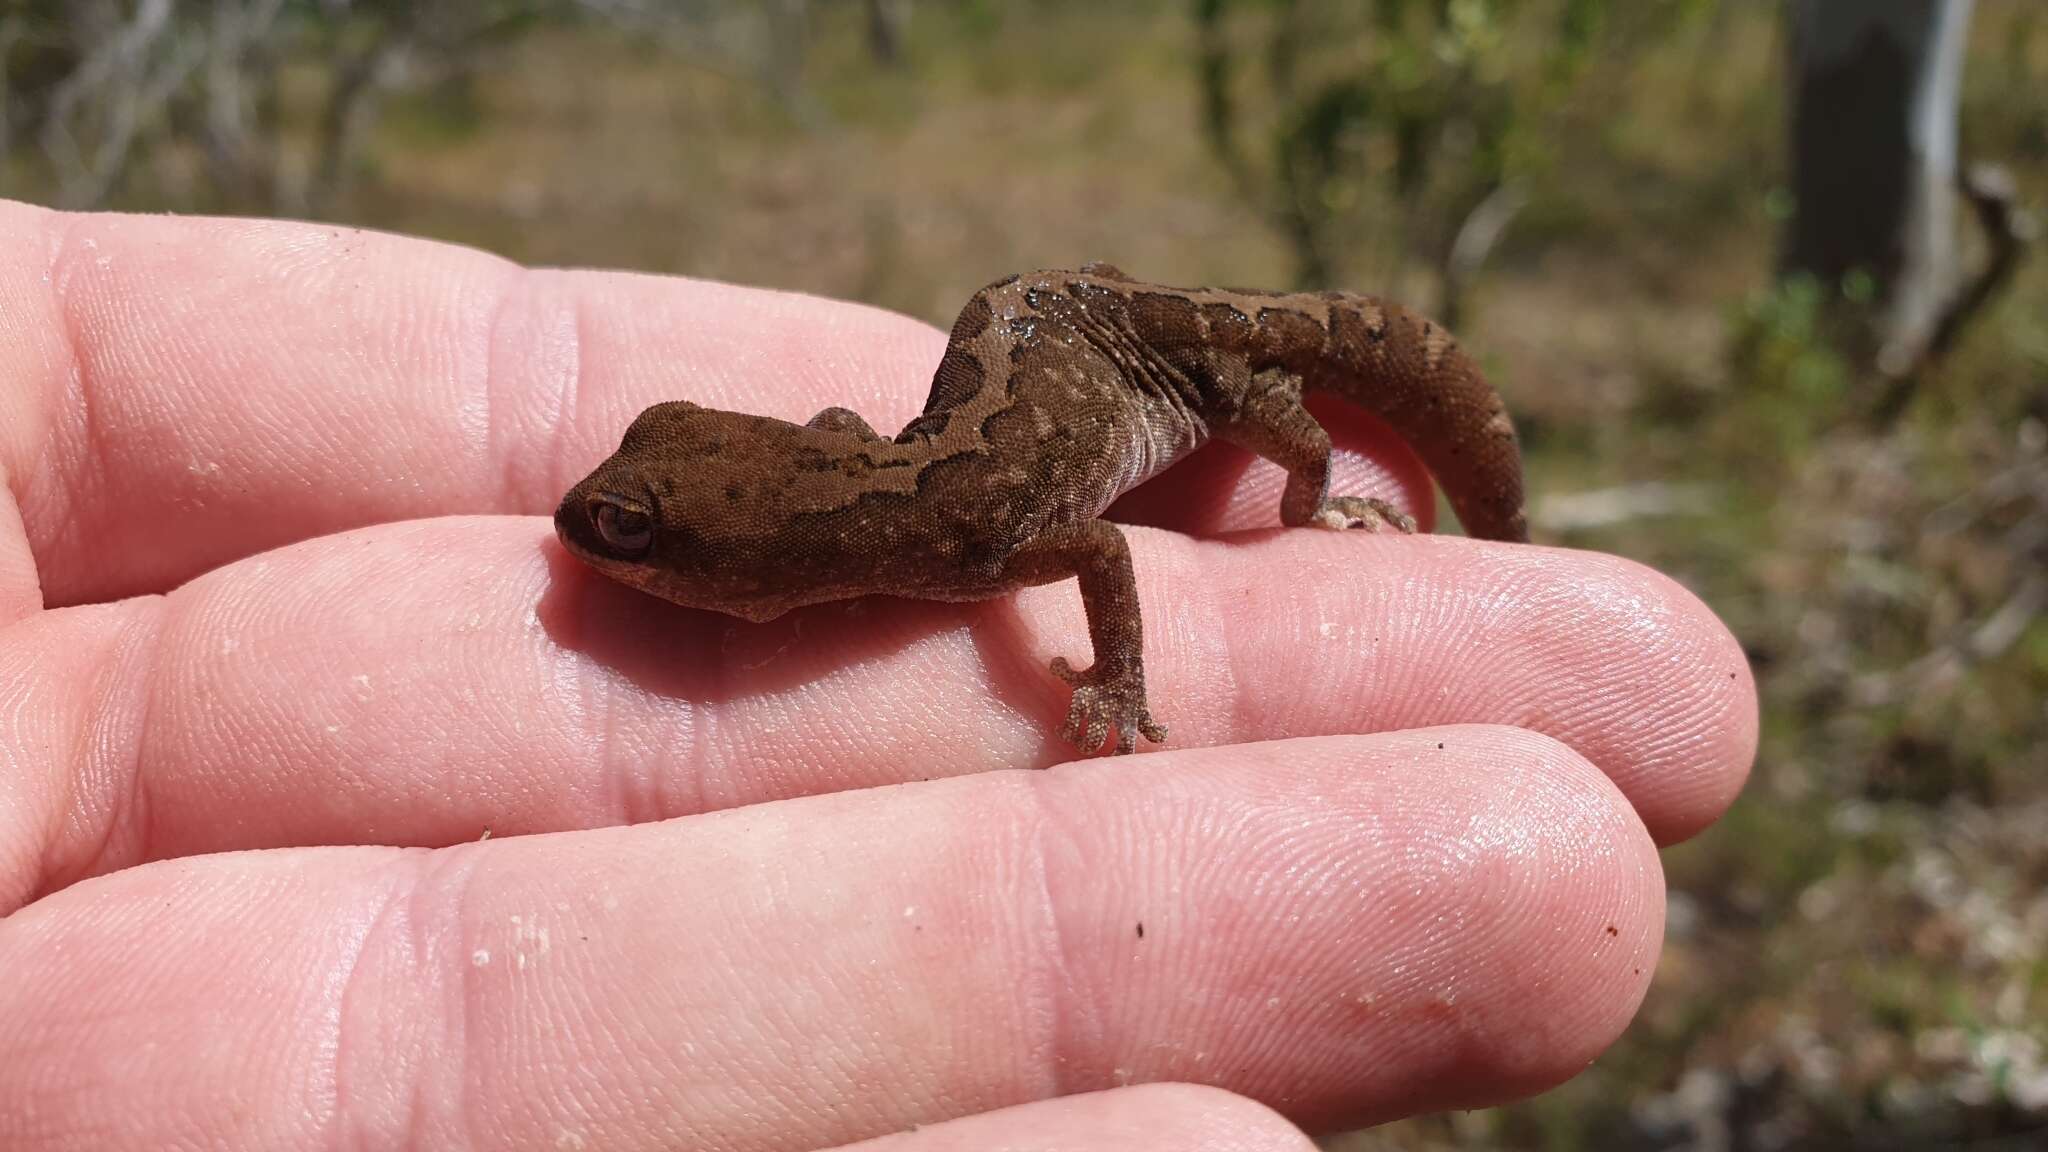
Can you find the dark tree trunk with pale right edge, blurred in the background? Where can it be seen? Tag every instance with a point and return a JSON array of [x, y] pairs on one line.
[[1875, 91]]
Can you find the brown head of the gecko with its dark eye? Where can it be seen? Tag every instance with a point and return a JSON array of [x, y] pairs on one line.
[[679, 511]]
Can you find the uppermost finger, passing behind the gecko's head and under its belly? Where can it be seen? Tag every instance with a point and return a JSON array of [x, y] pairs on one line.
[[185, 393]]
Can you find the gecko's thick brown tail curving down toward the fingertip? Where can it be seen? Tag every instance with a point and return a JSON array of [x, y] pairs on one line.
[[1410, 372]]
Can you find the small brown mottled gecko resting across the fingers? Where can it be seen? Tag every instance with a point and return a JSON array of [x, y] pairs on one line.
[[1058, 393]]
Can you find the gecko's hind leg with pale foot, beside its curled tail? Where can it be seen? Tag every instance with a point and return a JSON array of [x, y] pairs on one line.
[[1275, 425]]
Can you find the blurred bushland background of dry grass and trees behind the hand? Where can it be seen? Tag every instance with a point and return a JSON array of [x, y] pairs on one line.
[[1754, 276]]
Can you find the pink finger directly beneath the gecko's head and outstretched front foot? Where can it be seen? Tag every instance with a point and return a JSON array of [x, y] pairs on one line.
[[433, 682]]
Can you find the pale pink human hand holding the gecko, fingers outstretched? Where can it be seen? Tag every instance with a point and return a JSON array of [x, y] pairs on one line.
[[278, 571]]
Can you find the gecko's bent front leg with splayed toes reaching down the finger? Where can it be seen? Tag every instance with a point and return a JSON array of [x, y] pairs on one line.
[[1113, 690]]
